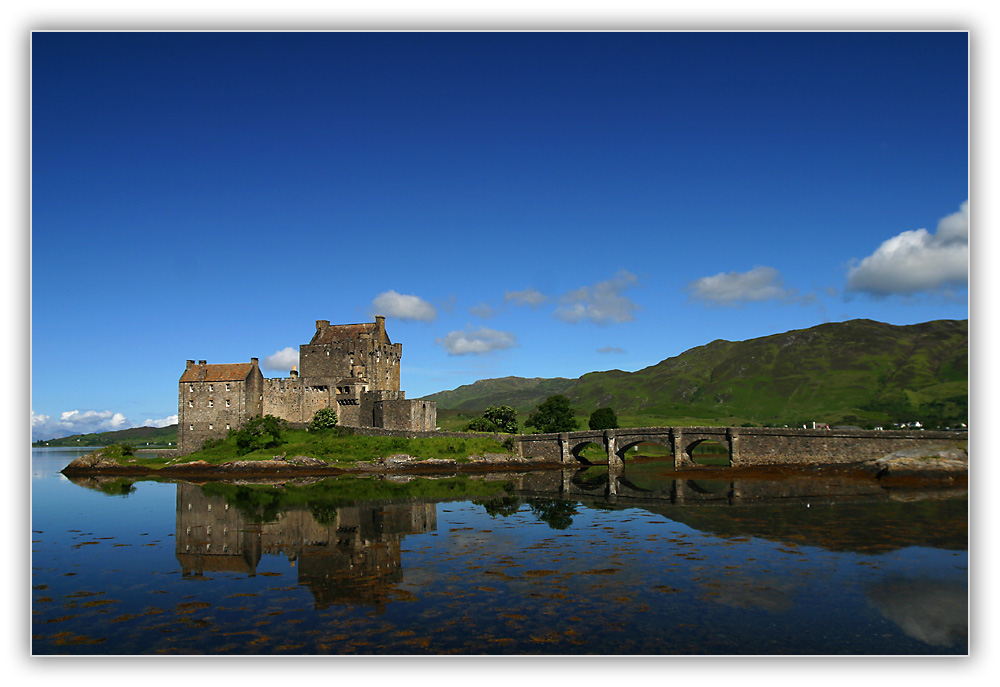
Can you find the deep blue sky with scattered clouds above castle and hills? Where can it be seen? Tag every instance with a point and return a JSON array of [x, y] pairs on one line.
[[528, 204]]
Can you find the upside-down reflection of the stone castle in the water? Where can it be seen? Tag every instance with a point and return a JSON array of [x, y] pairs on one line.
[[351, 558]]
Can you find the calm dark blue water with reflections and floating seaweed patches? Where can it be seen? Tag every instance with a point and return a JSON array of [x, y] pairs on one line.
[[551, 564]]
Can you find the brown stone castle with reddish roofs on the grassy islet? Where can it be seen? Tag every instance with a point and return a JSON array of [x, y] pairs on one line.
[[353, 368]]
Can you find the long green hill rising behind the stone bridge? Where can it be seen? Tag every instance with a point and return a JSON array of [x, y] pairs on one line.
[[859, 372]]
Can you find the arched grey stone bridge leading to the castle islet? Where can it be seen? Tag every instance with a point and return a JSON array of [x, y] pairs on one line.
[[745, 446]]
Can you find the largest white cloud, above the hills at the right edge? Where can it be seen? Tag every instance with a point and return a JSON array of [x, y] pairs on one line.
[[917, 261]]
